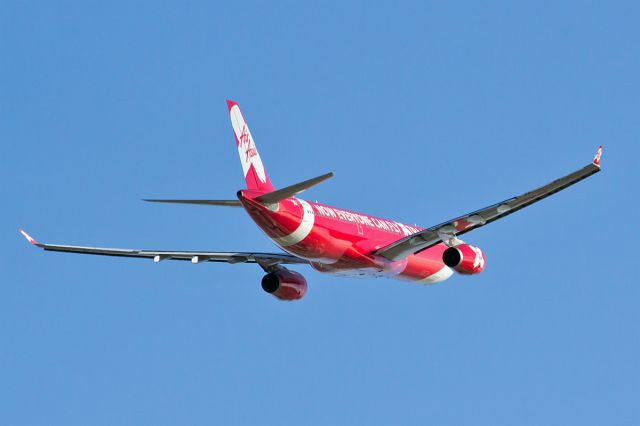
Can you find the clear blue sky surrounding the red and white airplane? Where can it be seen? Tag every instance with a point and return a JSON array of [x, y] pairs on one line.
[[423, 110]]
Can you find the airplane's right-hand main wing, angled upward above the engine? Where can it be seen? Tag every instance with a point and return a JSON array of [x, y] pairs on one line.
[[449, 230]]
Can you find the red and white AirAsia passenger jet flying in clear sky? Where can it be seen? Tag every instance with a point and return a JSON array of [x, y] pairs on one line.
[[334, 240]]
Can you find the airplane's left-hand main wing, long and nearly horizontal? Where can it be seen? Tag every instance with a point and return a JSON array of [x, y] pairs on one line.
[[263, 259]]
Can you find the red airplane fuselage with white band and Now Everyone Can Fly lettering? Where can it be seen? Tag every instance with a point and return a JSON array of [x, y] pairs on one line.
[[342, 242]]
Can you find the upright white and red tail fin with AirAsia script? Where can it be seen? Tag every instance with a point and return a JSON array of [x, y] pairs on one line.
[[254, 172]]
